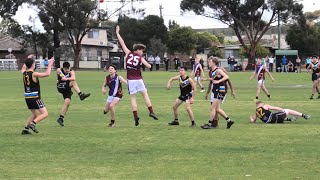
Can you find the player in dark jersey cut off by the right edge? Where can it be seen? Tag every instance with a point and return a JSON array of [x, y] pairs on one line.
[[314, 69]]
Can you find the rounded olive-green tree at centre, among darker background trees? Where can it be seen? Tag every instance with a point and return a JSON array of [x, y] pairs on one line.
[[182, 40]]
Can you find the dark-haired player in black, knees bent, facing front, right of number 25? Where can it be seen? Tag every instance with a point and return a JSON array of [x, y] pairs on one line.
[[187, 94]]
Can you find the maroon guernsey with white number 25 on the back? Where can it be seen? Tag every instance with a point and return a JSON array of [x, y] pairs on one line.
[[133, 64]]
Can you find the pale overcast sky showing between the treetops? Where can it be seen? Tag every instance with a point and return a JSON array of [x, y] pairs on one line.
[[171, 11]]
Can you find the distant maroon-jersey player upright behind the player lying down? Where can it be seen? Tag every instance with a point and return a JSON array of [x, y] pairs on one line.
[[260, 70]]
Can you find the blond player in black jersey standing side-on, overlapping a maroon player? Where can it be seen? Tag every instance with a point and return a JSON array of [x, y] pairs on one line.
[[218, 78]]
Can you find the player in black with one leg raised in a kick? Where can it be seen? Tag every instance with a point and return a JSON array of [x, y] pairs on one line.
[[66, 79]]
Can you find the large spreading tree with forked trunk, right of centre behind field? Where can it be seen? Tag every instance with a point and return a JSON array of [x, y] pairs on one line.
[[245, 17]]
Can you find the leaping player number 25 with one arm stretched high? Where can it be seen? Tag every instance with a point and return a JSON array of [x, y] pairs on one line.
[[133, 63]]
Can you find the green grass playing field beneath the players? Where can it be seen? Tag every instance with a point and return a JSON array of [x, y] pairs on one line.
[[87, 149]]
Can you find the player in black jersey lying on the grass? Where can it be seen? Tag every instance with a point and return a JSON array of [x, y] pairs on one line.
[[263, 112]]
